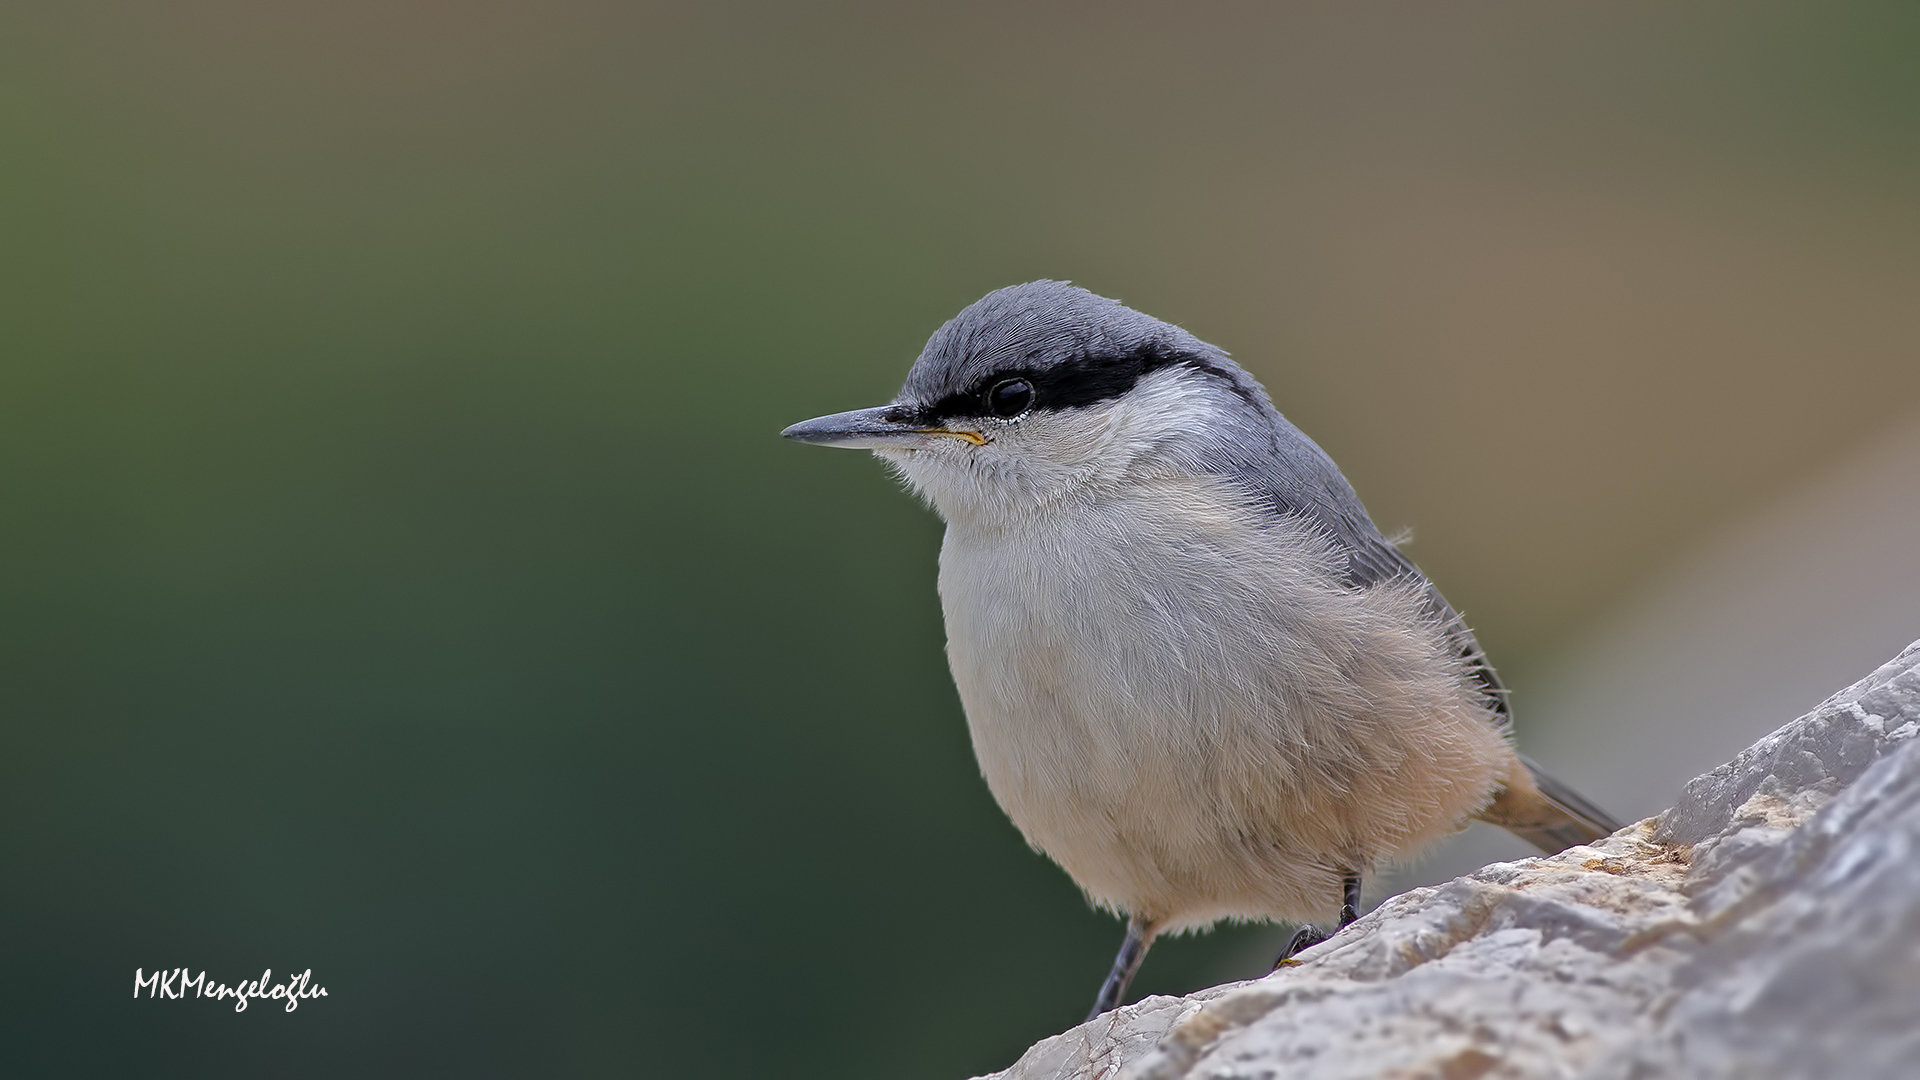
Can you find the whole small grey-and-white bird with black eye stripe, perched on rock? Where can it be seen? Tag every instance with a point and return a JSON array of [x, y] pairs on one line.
[[1193, 670]]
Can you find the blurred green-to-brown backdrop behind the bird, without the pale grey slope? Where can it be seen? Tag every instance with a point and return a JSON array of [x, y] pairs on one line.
[[402, 576]]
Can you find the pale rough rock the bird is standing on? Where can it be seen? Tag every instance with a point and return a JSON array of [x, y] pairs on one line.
[[1769, 925]]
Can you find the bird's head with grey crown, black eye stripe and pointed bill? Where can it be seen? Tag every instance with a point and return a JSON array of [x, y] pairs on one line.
[[1045, 391]]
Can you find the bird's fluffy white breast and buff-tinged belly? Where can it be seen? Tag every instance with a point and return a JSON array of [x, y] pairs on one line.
[[1180, 702]]
